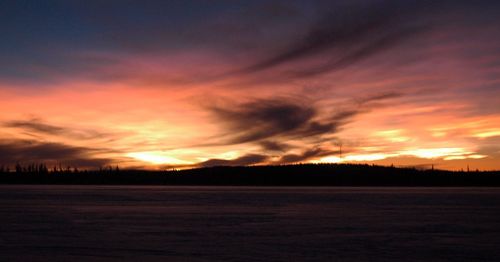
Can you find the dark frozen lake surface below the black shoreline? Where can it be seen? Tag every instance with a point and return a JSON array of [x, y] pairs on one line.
[[161, 223]]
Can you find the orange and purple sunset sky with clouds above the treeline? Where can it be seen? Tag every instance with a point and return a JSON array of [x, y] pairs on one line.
[[181, 84]]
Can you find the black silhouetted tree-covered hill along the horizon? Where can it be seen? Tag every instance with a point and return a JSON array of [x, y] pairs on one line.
[[283, 175]]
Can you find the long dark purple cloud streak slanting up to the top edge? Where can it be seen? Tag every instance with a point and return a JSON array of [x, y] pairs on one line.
[[348, 35]]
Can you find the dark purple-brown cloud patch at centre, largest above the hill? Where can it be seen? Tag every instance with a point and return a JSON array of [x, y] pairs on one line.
[[286, 118]]
